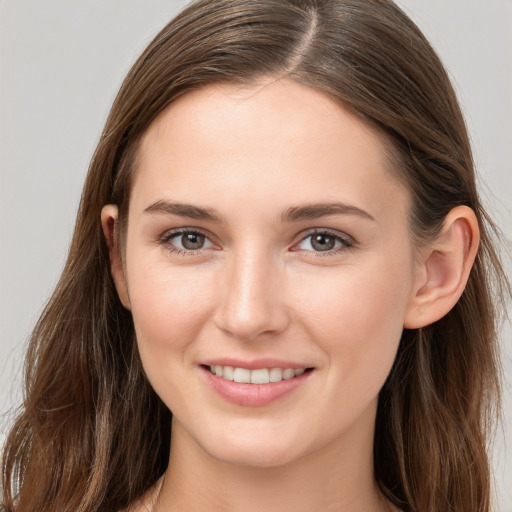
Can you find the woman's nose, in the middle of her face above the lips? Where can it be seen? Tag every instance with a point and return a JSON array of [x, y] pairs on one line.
[[251, 300]]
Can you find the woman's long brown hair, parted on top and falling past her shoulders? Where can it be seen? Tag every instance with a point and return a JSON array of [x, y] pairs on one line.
[[92, 434]]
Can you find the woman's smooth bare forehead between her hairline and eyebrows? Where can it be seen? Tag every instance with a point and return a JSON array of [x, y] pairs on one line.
[[261, 140]]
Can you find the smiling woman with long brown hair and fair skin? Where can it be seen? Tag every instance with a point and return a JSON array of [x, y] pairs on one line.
[[280, 291]]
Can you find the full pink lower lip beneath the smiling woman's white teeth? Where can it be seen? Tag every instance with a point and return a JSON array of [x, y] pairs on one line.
[[253, 395]]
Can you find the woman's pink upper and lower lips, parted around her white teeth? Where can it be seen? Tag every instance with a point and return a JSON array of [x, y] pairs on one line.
[[253, 395]]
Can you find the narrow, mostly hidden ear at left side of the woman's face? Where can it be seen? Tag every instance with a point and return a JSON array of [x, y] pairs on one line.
[[109, 216]]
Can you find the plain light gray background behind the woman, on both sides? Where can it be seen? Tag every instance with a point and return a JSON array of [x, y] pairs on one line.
[[61, 63]]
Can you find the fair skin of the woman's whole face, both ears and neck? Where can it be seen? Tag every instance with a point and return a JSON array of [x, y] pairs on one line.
[[249, 274]]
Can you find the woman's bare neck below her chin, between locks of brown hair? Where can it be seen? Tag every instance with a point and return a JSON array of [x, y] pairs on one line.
[[334, 478]]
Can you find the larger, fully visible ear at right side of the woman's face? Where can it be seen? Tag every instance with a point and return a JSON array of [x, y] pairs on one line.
[[444, 268]]
